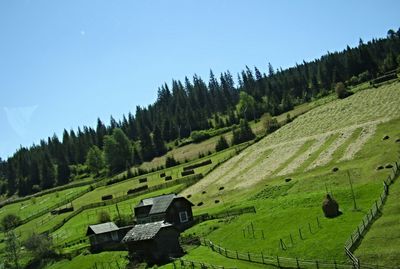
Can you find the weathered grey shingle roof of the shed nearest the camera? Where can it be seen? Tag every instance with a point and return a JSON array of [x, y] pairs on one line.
[[145, 231]]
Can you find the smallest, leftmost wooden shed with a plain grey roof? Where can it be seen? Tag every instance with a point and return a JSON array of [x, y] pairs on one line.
[[106, 236]]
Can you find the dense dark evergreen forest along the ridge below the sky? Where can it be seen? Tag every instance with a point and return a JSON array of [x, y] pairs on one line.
[[189, 105]]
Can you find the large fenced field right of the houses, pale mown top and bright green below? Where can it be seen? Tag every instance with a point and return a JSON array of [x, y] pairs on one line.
[[284, 207]]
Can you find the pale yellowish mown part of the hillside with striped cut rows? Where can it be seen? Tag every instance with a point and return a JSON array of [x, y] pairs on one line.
[[321, 132]]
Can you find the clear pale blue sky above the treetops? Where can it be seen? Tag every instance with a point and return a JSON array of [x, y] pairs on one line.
[[65, 63]]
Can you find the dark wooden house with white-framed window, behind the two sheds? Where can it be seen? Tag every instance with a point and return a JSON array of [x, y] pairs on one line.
[[170, 208]]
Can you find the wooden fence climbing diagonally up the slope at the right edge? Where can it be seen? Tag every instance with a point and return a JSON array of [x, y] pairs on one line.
[[358, 234]]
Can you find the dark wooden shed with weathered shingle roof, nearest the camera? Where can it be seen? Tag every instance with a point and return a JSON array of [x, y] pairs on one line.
[[154, 242]]
